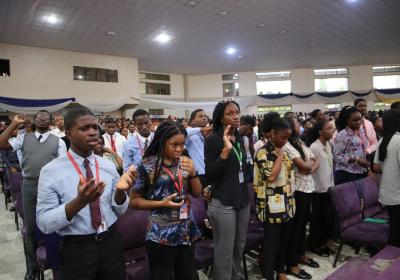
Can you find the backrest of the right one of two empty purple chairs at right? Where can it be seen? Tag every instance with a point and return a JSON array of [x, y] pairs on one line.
[[368, 191]]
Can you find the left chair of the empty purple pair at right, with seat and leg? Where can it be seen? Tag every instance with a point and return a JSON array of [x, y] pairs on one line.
[[353, 229]]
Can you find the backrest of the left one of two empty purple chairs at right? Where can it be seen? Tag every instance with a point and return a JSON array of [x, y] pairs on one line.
[[347, 204]]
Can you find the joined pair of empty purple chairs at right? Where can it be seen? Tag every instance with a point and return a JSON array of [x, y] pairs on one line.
[[353, 202]]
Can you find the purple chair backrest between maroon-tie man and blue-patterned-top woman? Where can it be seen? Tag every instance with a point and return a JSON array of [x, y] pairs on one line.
[[133, 227]]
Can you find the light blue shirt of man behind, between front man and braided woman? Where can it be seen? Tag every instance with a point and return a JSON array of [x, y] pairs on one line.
[[133, 151]]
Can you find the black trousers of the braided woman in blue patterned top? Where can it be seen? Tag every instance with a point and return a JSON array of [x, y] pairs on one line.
[[165, 261]]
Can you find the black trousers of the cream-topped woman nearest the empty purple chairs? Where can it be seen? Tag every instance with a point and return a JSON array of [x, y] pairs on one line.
[[322, 221]]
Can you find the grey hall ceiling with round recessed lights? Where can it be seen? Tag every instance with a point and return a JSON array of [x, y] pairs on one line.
[[319, 33]]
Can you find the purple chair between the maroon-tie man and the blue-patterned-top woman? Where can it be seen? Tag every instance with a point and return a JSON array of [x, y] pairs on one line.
[[133, 226]]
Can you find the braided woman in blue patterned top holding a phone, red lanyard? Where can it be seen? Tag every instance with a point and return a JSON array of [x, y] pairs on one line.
[[166, 178]]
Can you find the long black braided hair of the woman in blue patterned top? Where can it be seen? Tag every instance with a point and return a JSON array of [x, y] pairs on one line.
[[165, 131]]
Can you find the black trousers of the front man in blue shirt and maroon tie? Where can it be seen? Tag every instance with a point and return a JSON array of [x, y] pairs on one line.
[[93, 260]]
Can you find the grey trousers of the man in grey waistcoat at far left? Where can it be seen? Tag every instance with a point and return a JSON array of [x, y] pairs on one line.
[[29, 199]]
